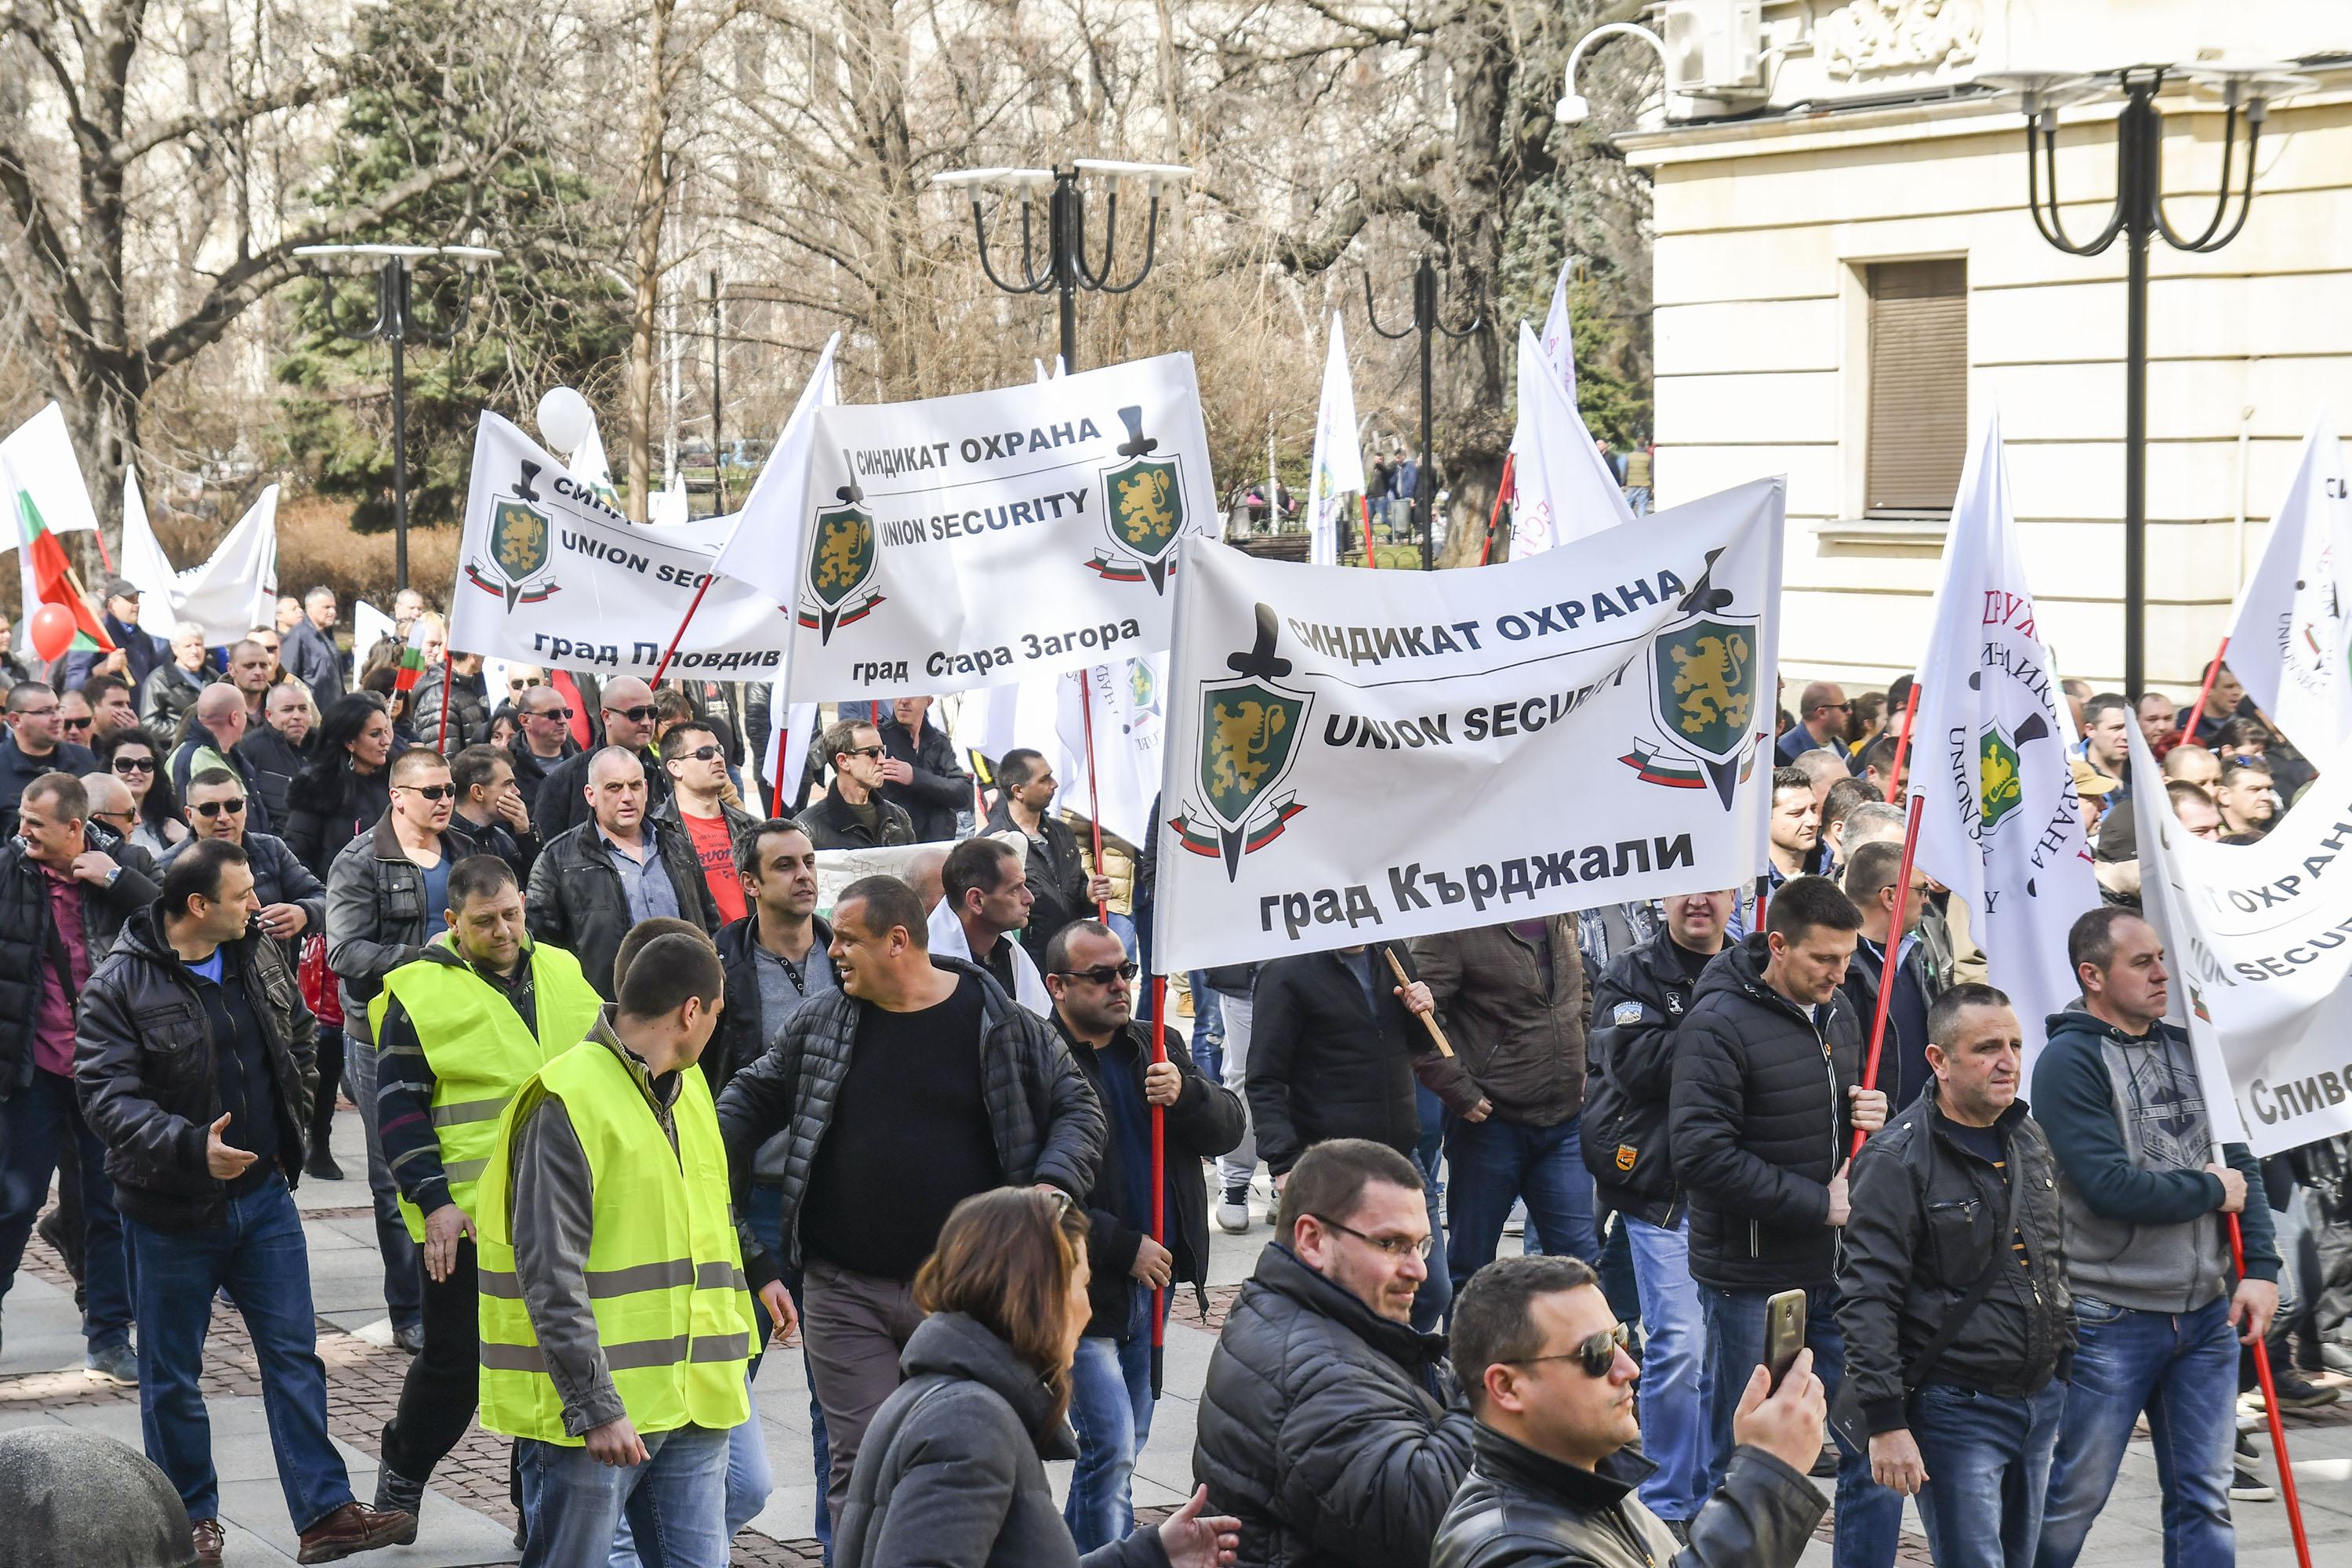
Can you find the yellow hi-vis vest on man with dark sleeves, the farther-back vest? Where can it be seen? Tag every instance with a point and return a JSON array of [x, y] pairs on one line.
[[481, 1052]]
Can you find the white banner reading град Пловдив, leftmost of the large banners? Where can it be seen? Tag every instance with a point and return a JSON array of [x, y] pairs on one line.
[[549, 575]]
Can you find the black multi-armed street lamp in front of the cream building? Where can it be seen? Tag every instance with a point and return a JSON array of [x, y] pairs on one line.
[[2137, 217]]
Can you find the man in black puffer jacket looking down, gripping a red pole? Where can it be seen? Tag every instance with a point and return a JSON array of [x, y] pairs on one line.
[[1763, 1115]]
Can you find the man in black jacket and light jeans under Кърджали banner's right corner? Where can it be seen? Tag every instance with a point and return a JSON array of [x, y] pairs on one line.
[[1636, 1012]]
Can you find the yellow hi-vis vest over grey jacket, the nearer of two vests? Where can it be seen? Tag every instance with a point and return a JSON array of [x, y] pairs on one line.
[[664, 1271]]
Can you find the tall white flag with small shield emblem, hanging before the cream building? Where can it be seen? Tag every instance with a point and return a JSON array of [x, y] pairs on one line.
[[2000, 822]]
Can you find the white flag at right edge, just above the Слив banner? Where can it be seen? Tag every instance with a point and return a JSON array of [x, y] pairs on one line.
[[2287, 638]]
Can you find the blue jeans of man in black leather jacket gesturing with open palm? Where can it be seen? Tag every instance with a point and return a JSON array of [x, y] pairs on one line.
[[262, 1259]]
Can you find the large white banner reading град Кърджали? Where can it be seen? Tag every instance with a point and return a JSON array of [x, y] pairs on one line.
[[1391, 753]]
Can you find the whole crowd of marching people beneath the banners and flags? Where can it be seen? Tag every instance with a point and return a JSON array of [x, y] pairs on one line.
[[636, 1115]]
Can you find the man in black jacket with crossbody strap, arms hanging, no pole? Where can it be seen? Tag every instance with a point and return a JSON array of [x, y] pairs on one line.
[[1960, 1332]]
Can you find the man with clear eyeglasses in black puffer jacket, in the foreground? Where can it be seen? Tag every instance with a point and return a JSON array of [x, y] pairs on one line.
[[1328, 1426]]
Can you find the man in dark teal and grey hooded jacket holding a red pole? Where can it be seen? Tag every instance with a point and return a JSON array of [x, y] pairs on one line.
[[2149, 1249]]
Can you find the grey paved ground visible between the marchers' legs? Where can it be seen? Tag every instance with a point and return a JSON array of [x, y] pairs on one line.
[[469, 1520]]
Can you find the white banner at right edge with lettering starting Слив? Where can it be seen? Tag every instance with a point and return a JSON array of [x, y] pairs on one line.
[[2261, 953]]
